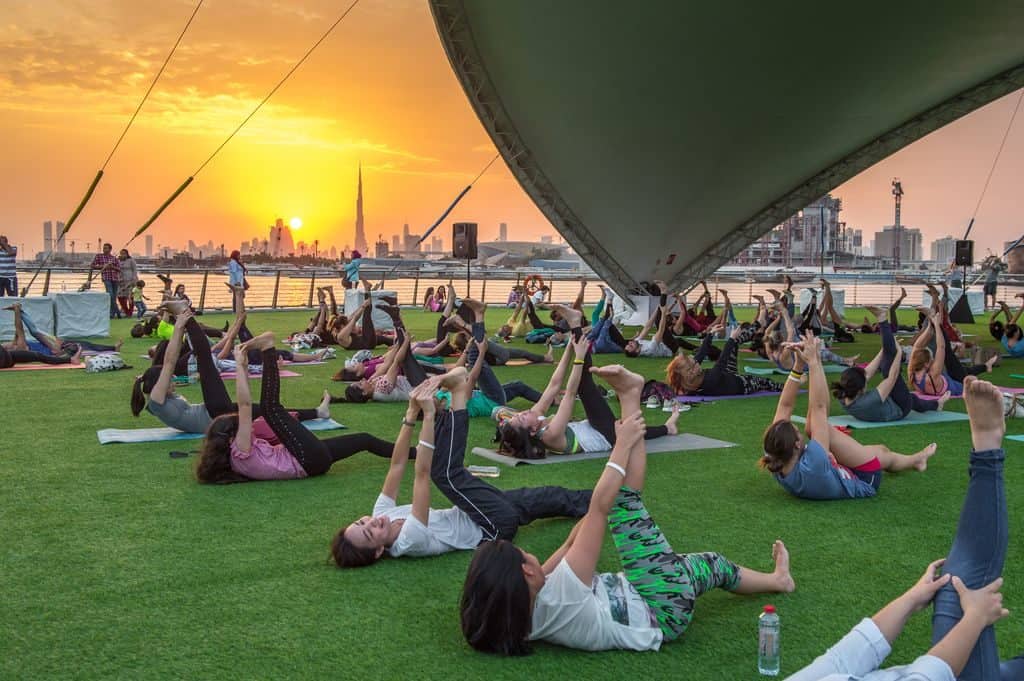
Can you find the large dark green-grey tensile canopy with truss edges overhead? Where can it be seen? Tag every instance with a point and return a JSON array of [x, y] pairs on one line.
[[662, 138]]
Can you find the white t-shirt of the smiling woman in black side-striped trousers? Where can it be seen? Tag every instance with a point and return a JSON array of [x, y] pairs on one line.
[[447, 530]]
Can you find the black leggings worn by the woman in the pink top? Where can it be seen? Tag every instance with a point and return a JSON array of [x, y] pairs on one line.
[[315, 455]]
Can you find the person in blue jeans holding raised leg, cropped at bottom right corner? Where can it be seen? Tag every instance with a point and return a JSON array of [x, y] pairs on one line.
[[966, 598]]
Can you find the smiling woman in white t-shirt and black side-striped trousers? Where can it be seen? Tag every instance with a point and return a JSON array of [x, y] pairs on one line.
[[481, 510]]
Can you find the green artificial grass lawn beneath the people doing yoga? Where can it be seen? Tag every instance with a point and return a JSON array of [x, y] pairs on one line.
[[117, 565]]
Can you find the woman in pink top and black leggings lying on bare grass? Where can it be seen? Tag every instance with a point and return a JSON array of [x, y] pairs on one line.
[[275, 447]]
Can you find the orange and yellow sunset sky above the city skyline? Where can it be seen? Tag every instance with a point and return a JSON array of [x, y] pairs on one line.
[[378, 92]]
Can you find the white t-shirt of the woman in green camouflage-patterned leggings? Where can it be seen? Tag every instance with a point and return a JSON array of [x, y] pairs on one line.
[[607, 615]]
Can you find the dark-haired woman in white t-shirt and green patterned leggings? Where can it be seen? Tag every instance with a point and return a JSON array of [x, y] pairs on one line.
[[510, 599]]
